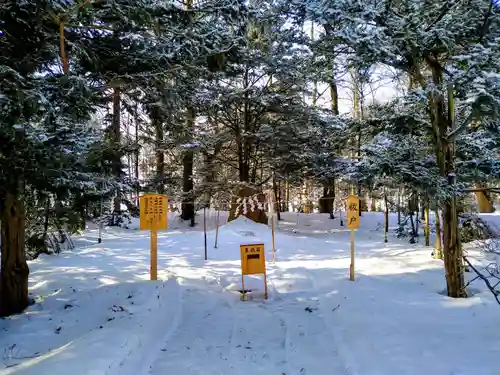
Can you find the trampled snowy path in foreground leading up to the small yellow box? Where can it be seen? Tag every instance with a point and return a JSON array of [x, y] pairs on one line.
[[218, 334]]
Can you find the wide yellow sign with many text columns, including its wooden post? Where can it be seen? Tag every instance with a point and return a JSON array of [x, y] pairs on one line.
[[153, 211]]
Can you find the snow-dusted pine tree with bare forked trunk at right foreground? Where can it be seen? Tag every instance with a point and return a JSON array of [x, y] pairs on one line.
[[426, 37]]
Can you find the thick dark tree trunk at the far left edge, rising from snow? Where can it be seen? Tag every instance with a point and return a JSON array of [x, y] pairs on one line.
[[14, 268]]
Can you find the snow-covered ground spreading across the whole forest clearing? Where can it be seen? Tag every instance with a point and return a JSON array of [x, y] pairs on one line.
[[97, 312]]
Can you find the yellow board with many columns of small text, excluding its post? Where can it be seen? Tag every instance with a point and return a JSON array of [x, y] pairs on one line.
[[153, 211]]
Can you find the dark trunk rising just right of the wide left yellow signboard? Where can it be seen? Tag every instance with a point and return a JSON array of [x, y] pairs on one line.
[[187, 210]]
